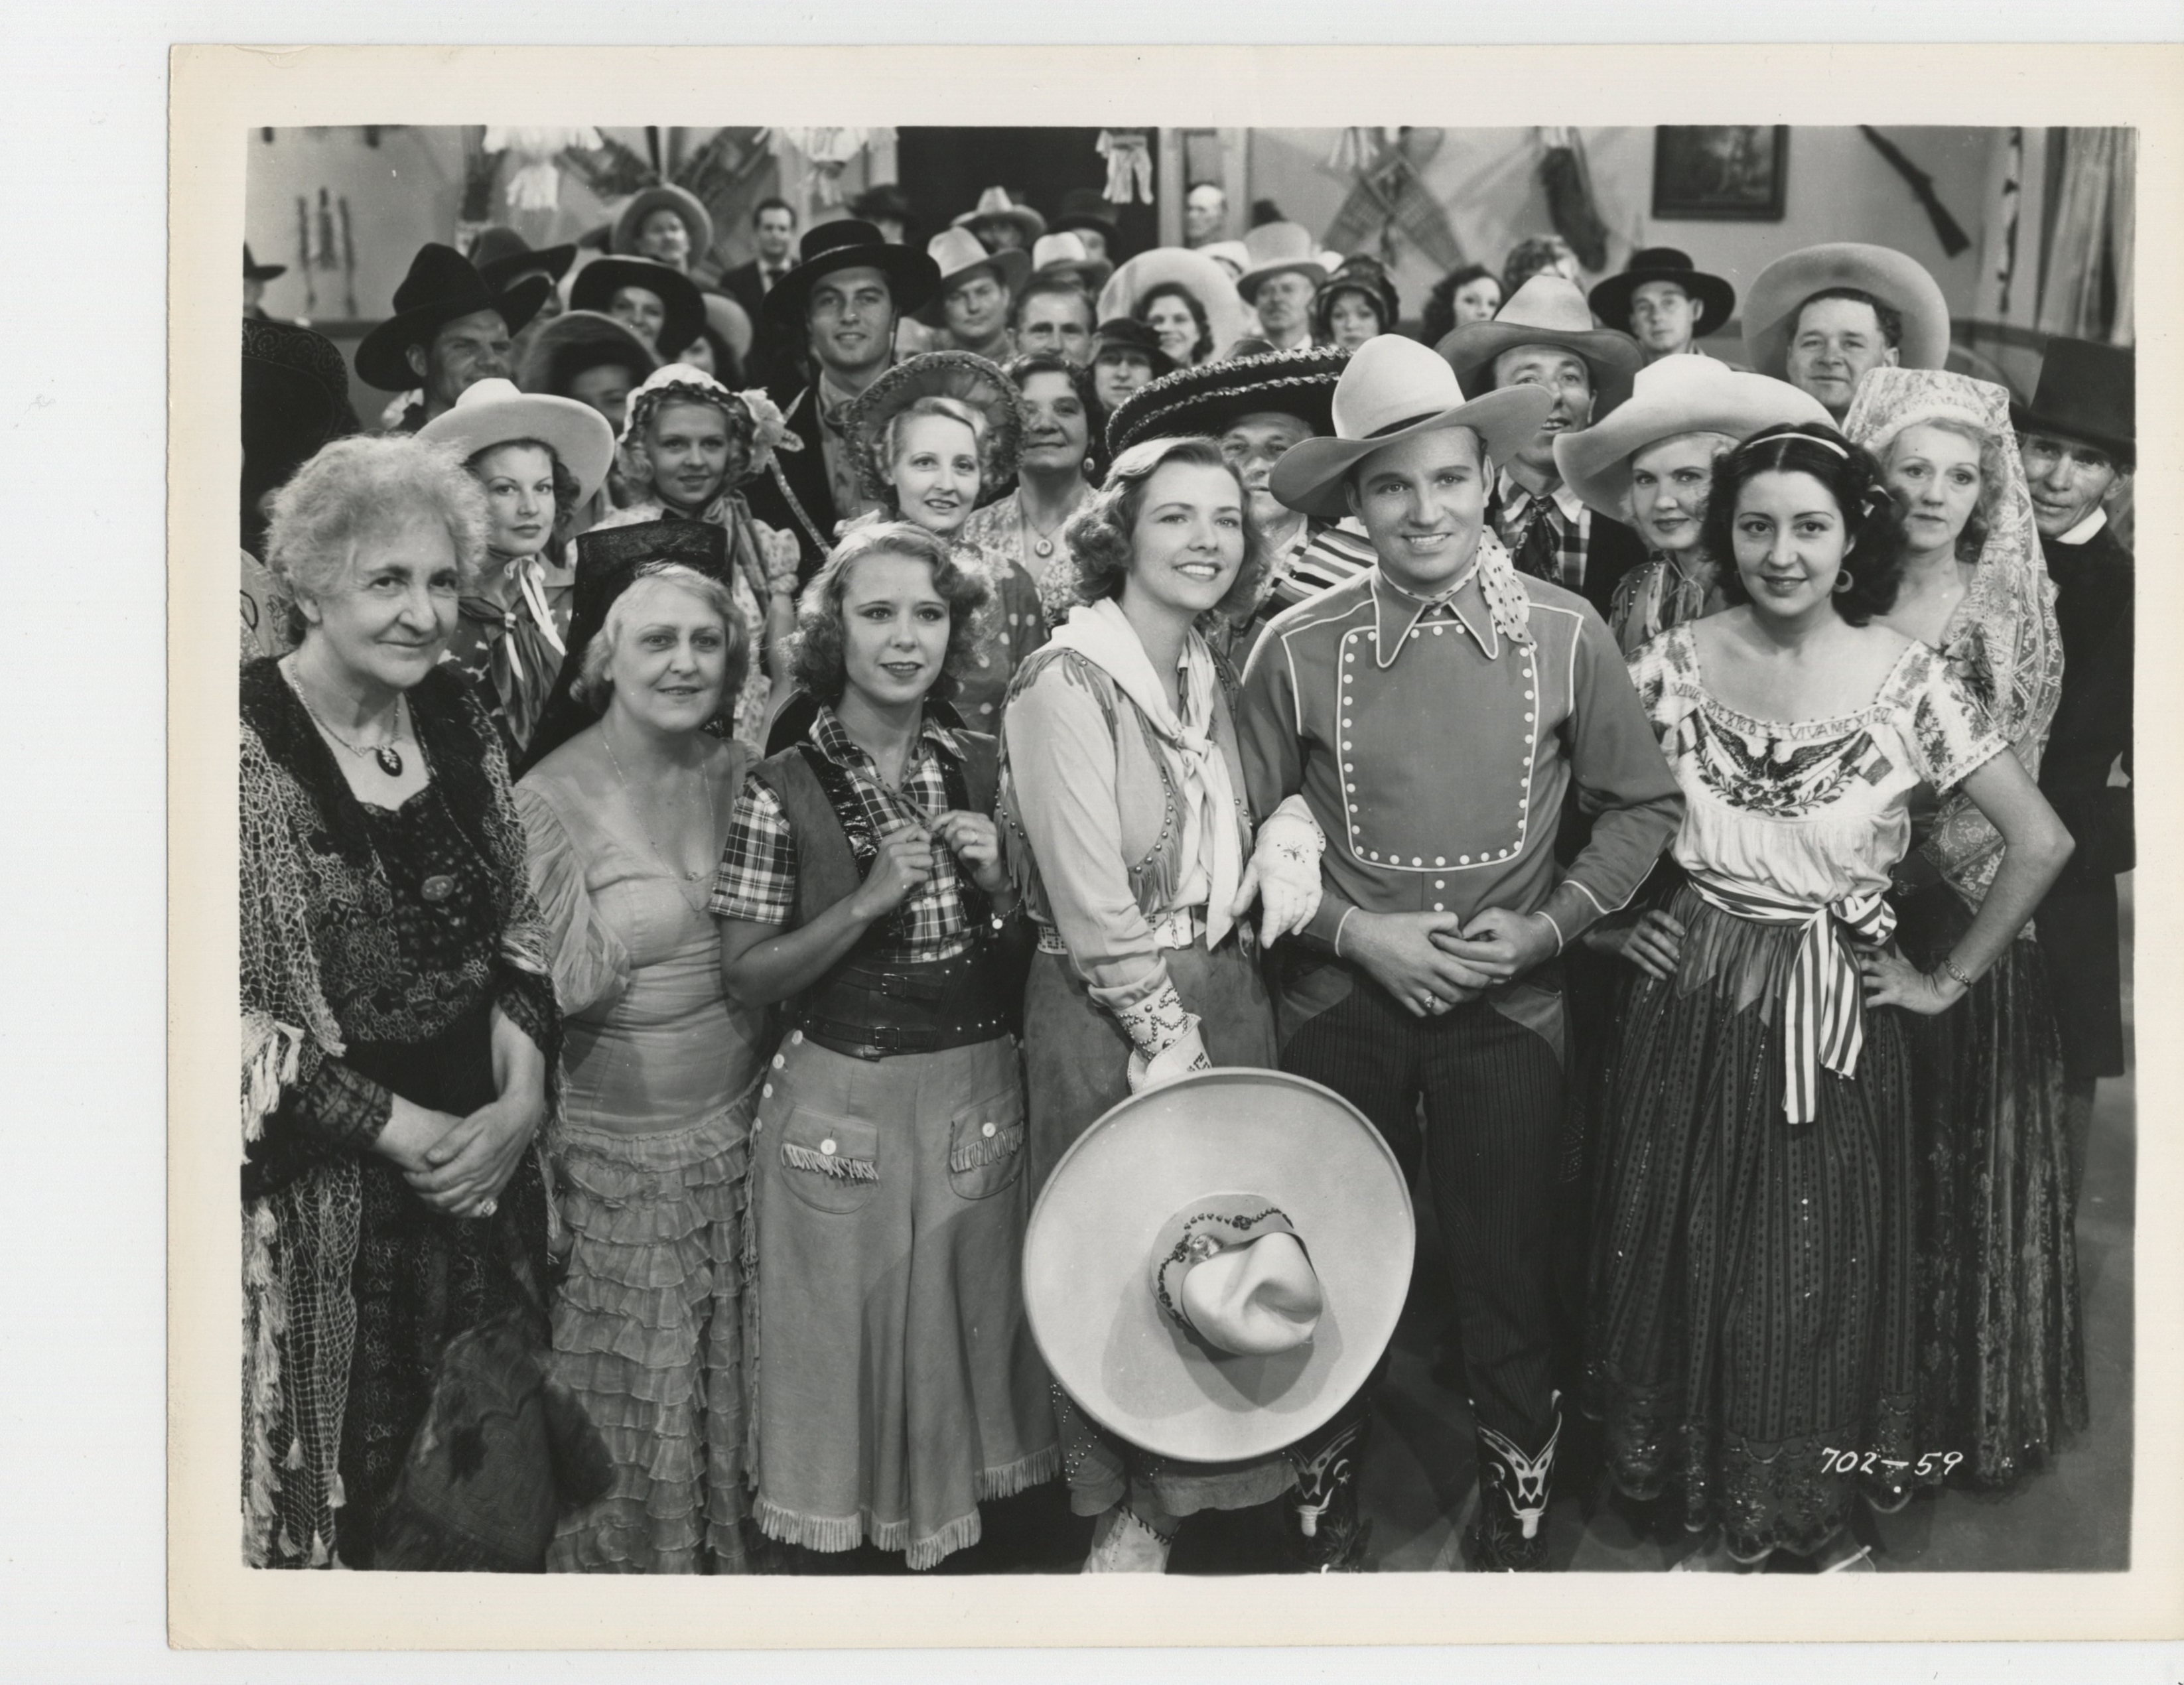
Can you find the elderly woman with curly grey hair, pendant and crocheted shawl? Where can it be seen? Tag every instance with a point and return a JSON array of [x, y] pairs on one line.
[[399, 1014]]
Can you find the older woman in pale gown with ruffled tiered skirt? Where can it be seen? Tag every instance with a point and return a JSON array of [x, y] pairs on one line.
[[661, 1068]]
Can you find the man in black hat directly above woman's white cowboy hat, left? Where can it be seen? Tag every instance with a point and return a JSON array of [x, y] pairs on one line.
[[451, 328]]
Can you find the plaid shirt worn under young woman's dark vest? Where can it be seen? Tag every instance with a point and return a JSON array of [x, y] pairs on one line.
[[759, 868]]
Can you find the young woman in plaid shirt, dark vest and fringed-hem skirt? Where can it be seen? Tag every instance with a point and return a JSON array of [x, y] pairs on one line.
[[897, 1387]]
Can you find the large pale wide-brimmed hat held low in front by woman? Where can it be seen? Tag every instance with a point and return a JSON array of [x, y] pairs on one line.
[[1218, 1265]]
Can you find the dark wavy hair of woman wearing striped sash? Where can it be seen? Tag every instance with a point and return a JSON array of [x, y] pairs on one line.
[[1873, 523]]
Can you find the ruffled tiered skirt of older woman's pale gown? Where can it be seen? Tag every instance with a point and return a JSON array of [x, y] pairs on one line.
[[650, 1337]]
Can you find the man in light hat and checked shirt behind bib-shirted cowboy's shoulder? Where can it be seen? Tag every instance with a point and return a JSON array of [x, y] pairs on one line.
[[1545, 337]]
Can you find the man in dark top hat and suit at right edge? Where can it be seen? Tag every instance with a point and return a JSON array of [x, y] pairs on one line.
[[2080, 442]]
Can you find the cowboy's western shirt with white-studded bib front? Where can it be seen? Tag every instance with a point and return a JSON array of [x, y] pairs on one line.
[[1436, 752]]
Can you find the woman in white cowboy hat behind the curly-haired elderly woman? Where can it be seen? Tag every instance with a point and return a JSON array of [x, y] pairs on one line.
[[541, 462]]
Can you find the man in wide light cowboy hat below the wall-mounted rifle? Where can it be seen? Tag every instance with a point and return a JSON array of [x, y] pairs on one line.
[[1825, 315]]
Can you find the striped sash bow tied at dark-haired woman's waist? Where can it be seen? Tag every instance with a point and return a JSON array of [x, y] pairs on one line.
[[1825, 1012]]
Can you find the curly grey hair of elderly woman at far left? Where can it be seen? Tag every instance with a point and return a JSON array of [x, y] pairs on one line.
[[361, 490]]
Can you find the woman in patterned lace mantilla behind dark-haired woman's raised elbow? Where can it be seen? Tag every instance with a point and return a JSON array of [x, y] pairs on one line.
[[2004, 1365]]
